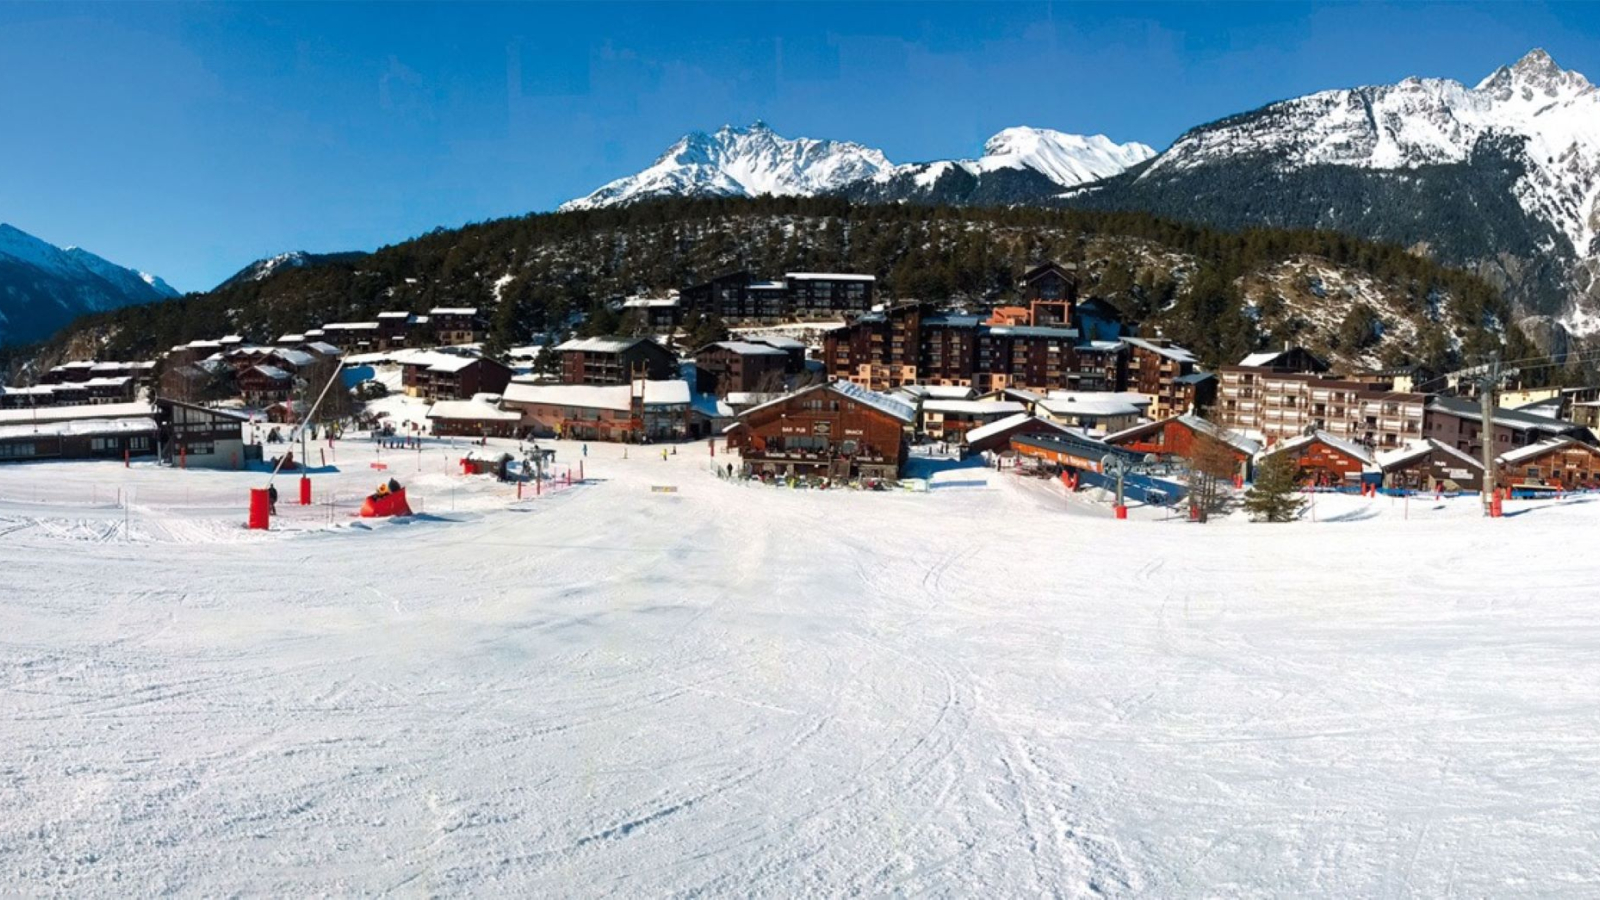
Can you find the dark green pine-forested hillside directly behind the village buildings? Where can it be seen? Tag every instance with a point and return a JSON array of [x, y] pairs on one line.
[[1220, 292]]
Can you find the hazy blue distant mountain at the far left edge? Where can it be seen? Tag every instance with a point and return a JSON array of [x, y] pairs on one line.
[[44, 287]]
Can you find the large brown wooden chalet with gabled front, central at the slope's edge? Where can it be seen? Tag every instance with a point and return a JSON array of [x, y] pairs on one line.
[[836, 430]]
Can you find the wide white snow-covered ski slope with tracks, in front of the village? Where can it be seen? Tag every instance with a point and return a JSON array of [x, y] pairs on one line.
[[982, 691]]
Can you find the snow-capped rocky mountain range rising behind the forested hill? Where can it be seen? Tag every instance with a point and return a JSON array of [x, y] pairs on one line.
[[1502, 179]]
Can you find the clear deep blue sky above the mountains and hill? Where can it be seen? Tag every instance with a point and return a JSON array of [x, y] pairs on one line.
[[190, 140]]
